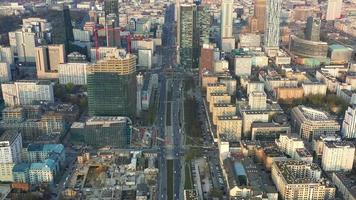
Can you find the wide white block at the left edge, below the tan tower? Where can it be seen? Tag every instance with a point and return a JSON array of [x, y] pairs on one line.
[[27, 92]]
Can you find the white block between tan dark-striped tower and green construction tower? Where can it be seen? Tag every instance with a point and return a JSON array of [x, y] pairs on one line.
[[75, 73]]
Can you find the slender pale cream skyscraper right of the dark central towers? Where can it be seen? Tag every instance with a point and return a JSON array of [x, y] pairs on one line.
[[226, 18]]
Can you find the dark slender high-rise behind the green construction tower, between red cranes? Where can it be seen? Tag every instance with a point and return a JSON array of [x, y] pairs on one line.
[[112, 30]]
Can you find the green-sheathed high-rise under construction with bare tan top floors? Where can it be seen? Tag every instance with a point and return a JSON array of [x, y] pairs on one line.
[[112, 86]]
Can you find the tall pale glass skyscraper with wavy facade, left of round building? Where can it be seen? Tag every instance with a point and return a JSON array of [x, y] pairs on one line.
[[271, 37]]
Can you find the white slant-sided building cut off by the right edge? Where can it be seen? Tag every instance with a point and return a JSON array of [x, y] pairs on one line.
[[348, 129]]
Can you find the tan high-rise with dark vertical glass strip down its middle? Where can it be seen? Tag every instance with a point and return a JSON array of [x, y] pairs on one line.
[[48, 59]]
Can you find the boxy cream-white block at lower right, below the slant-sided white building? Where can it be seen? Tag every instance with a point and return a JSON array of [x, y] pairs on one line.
[[338, 156]]
